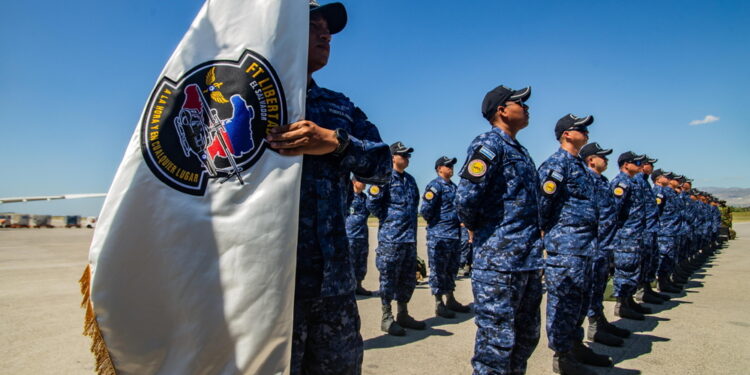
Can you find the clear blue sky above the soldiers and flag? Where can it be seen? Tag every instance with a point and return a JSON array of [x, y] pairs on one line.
[[77, 74]]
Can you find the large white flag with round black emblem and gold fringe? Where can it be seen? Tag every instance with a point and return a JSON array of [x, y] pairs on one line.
[[192, 263]]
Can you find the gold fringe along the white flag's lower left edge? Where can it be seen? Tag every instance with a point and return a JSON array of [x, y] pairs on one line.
[[104, 365]]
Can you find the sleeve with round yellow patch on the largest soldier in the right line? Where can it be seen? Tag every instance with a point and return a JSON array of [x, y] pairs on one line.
[[482, 161]]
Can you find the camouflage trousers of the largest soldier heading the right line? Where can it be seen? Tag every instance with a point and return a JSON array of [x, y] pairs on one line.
[[508, 320]]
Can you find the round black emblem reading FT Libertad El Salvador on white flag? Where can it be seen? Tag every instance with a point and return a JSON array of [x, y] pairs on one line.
[[211, 124]]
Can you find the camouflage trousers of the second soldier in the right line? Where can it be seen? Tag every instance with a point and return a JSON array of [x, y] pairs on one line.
[[568, 280]]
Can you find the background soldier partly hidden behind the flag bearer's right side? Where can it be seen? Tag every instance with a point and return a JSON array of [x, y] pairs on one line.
[[357, 232]]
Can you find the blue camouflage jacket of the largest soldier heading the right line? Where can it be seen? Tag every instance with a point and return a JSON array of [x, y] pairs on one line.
[[497, 198]]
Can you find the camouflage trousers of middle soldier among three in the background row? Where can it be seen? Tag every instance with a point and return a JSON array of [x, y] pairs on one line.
[[397, 263]]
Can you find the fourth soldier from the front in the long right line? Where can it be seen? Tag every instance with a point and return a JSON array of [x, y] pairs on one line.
[[628, 243]]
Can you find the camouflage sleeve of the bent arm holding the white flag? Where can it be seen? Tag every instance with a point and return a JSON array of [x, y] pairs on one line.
[[367, 156]]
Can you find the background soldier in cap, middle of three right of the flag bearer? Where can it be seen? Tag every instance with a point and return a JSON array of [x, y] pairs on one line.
[[395, 204]]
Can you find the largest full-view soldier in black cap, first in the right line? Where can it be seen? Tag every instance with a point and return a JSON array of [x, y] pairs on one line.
[[497, 200]]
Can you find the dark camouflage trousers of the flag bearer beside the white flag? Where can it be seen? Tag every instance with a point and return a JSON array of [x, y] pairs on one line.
[[325, 336]]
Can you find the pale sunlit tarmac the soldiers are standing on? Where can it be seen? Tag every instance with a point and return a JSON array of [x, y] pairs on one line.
[[704, 330]]
